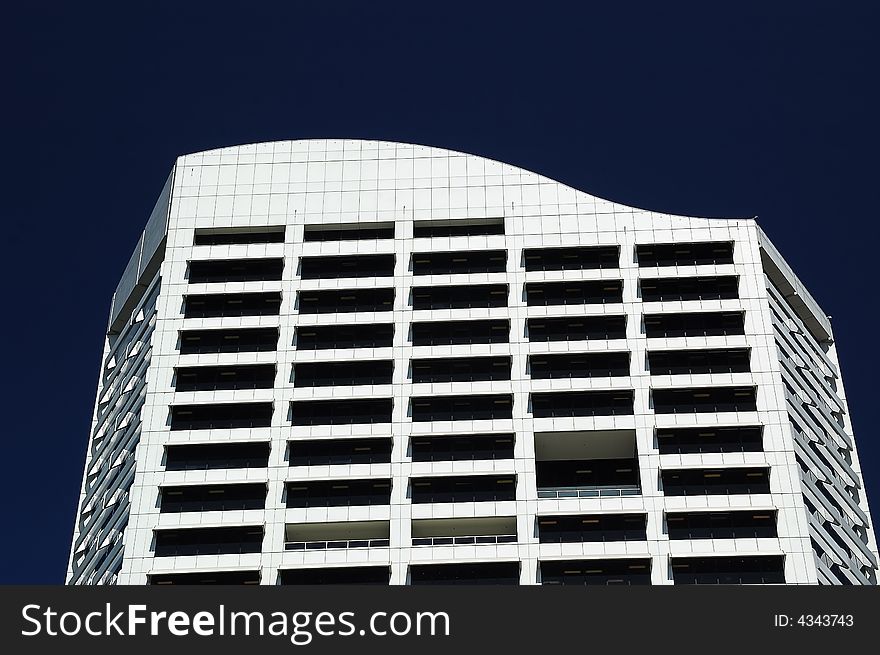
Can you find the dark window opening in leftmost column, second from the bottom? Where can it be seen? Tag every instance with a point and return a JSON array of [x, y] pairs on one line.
[[181, 542]]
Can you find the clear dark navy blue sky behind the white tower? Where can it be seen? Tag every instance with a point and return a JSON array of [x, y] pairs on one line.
[[754, 108]]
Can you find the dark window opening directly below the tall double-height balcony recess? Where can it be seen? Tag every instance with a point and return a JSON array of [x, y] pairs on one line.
[[579, 528]]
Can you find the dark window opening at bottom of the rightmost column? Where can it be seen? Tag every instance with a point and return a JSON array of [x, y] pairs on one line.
[[759, 569]]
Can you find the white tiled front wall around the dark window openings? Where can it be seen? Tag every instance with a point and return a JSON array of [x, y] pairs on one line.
[[308, 182]]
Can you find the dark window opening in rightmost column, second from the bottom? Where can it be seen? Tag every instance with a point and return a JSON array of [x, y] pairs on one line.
[[721, 525]]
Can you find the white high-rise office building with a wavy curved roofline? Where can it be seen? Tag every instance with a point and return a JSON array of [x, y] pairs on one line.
[[371, 362]]
